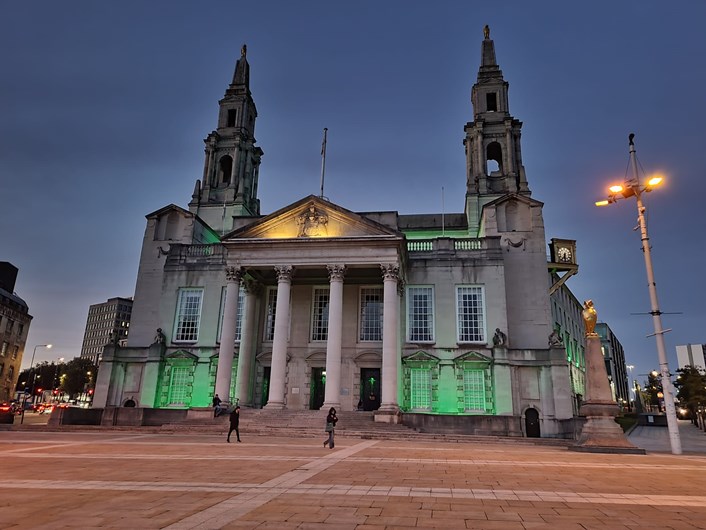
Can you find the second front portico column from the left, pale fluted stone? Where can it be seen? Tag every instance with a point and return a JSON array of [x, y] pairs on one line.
[[279, 344]]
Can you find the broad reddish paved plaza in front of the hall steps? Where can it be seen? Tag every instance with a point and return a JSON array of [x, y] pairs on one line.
[[135, 480]]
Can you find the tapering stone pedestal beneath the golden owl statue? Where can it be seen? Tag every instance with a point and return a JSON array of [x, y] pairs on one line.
[[600, 433]]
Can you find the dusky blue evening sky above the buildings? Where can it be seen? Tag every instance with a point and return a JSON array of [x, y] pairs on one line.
[[104, 107]]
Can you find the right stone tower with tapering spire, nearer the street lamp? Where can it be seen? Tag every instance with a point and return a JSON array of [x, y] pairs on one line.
[[492, 141]]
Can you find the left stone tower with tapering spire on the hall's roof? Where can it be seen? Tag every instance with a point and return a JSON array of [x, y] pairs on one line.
[[232, 160]]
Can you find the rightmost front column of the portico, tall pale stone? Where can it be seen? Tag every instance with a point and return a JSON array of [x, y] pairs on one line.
[[390, 328]]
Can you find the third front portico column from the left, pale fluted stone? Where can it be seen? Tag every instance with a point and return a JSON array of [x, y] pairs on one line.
[[335, 330]]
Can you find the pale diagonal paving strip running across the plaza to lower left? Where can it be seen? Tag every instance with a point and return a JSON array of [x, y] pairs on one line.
[[215, 517]]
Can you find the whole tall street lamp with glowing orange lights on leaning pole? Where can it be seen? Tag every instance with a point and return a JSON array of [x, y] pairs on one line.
[[632, 188]]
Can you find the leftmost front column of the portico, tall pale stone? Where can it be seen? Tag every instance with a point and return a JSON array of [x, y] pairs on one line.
[[230, 314]]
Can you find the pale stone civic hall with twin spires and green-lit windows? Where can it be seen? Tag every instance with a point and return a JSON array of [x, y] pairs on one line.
[[425, 319]]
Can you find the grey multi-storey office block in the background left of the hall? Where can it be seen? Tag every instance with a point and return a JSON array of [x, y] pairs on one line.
[[107, 323]]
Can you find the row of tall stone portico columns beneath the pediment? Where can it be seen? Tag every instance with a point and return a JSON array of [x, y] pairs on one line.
[[278, 370]]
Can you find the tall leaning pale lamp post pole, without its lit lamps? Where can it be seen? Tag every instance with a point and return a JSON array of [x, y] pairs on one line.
[[670, 411]]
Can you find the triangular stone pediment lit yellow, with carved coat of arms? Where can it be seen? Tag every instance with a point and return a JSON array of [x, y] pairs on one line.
[[312, 218]]
